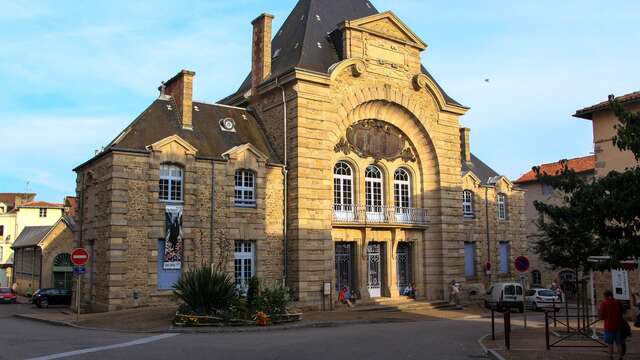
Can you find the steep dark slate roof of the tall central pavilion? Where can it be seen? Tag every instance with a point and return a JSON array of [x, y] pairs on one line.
[[308, 25]]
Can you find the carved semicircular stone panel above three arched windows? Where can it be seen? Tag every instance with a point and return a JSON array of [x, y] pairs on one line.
[[375, 139]]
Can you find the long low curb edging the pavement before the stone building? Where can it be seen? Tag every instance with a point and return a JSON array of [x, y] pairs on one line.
[[209, 330]]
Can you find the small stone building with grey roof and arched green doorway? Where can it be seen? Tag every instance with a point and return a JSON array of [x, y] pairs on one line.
[[42, 256]]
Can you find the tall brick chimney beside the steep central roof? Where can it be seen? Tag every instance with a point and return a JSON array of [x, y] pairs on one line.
[[261, 50]]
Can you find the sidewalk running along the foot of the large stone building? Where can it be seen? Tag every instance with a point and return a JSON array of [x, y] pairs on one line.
[[159, 319]]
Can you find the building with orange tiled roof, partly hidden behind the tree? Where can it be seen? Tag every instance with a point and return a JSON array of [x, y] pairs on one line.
[[541, 274]]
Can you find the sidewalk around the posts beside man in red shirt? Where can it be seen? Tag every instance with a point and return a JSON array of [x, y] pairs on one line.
[[530, 344]]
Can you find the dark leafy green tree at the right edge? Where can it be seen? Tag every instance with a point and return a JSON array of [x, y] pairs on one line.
[[596, 217]]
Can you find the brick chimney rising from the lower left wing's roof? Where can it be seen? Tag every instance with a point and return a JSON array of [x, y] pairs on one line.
[[180, 88]]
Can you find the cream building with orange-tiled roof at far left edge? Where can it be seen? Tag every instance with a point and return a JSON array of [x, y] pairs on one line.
[[18, 211]]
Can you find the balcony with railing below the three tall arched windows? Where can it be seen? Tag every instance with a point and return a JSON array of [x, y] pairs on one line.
[[379, 215]]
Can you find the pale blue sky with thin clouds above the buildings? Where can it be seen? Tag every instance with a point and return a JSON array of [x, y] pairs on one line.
[[74, 73]]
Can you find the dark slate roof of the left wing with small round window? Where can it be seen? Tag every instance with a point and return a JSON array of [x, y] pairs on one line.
[[161, 120]]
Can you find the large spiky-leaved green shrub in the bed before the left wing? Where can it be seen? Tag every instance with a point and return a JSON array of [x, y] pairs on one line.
[[205, 291]]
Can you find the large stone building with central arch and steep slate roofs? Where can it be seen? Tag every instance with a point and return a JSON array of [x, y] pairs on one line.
[[339, 130]]
